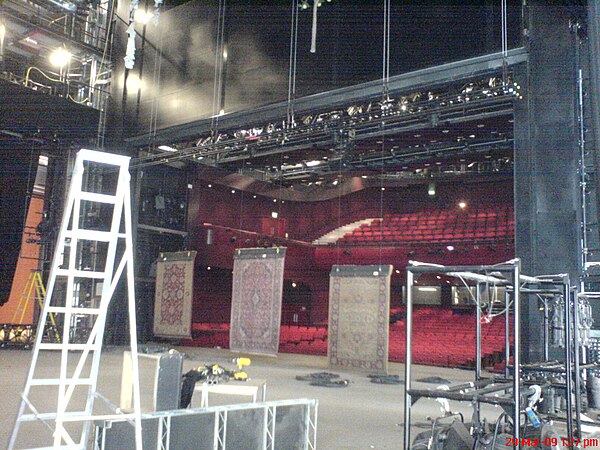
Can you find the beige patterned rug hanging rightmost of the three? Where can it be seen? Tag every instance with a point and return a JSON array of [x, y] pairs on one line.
[[359, 309]]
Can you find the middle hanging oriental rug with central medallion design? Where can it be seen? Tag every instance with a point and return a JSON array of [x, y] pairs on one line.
[[256, 300]]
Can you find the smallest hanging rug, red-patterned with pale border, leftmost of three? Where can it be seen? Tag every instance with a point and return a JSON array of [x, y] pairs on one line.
[[174, 294]]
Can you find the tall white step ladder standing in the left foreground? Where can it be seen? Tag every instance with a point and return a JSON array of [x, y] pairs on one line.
[[91, 255]]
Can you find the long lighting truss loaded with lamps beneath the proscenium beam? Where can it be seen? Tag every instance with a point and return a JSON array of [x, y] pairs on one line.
[[489, 97]]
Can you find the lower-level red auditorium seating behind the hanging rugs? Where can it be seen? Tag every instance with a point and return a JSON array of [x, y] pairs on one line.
[[441, 337]]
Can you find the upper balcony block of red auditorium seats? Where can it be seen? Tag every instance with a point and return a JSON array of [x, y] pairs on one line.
[[490, 224]]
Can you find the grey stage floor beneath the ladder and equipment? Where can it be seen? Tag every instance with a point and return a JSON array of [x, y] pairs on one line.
[[362, 416]]
